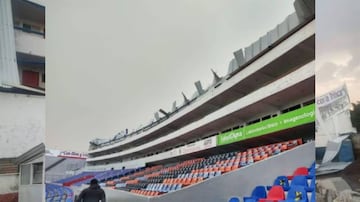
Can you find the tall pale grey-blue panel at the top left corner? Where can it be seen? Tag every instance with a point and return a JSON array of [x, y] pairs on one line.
[[9, 73]]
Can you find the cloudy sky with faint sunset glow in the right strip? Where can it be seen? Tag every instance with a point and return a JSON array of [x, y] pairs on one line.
[[338, 46]]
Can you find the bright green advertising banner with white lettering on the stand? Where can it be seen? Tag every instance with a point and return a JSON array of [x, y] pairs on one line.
[[288, 120]]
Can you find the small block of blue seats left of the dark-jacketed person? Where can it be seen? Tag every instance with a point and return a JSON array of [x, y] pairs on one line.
[[57, 193]]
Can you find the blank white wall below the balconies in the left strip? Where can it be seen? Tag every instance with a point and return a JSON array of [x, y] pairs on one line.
[[22, 123]]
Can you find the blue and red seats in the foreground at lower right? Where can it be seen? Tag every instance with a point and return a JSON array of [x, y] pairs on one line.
[[295, 187]]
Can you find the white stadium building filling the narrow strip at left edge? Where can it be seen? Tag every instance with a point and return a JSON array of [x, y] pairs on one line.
[[22, 100]]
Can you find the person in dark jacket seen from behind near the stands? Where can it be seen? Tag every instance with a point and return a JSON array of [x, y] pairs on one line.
[[93, 193]]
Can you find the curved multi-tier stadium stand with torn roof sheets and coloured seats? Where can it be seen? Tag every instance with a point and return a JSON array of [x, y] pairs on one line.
[[249, 127]]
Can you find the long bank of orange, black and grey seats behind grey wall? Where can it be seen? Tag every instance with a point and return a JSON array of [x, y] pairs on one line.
[[168, 178]]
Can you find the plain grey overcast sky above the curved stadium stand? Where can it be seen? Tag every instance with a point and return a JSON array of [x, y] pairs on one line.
[[111, 64]]
